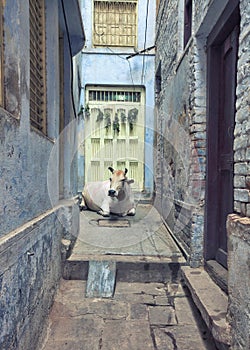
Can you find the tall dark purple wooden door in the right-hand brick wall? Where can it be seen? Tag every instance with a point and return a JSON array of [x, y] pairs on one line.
[[222, 71]]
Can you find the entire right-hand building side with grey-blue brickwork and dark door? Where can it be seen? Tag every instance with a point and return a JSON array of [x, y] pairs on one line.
[[202, 141]]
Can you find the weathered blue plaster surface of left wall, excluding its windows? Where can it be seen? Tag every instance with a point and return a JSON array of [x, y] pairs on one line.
[[32, 223]]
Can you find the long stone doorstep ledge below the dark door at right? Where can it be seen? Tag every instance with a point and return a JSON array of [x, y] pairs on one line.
[[211, 302]]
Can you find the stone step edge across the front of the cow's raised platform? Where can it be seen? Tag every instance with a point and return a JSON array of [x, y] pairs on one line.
[[128, 268]]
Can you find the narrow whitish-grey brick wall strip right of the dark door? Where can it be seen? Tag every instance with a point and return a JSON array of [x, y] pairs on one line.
[[242, 126]]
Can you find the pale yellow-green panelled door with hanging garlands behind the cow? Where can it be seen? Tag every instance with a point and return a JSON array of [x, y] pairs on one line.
[[114, 132]]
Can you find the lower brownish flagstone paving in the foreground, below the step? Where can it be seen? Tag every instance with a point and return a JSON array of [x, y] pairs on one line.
[[140, 316]]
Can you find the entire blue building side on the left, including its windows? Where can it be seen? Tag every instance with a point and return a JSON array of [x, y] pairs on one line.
[[39, 40]]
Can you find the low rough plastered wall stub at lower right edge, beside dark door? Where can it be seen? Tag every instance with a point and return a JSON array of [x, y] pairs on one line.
[[238, 280]]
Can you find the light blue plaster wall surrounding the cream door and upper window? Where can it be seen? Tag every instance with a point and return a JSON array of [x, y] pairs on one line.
[[109, 66]]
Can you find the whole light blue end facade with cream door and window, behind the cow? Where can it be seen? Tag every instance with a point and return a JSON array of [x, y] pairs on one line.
[[118, 91]]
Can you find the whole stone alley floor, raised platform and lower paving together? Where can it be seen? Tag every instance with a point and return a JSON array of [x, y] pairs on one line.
[[150, 307]]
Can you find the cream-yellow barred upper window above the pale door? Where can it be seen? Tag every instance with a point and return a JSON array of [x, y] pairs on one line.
[[115, 23]]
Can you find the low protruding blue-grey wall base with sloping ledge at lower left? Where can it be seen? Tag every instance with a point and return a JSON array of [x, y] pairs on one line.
[[30, 274]]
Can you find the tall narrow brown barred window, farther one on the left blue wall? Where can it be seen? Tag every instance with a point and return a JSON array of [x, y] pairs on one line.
[[37, 65]]
